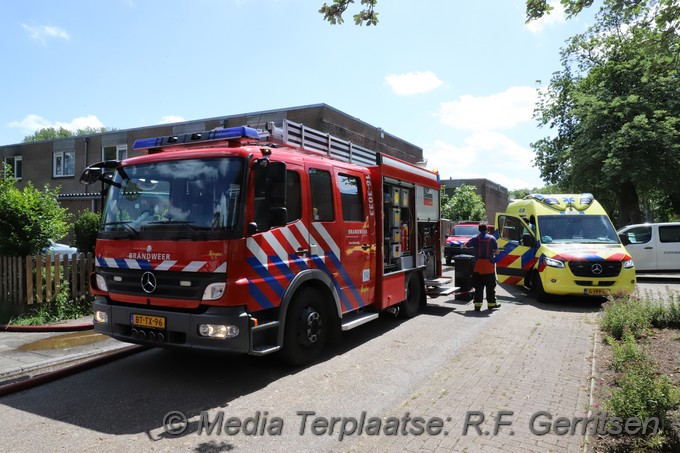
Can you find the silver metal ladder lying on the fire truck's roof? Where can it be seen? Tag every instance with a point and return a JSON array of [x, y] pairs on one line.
[[306, 138]]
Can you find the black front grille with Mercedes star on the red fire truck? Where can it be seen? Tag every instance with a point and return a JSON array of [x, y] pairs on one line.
[[171, 285]]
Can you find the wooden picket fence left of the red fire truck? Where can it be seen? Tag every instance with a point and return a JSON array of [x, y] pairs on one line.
[[37, 279]]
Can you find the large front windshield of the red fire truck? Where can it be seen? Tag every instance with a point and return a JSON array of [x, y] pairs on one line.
[[178, 199]]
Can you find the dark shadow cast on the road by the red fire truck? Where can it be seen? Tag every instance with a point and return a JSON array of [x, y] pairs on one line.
[[132, 395]]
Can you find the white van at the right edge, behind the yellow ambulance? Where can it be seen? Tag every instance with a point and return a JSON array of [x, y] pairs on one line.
[[653, 246]]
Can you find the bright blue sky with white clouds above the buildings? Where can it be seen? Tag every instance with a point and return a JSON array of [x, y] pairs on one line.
[[457, 78]]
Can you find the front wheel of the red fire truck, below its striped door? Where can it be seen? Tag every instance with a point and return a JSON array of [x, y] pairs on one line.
[[307, 327]]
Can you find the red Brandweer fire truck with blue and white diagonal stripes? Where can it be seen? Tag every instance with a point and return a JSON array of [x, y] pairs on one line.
[[253, 241]]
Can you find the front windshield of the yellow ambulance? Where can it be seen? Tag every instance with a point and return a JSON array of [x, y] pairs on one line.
[[577, 229]]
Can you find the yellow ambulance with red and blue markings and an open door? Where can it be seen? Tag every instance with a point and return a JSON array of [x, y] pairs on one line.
[[562, 245]]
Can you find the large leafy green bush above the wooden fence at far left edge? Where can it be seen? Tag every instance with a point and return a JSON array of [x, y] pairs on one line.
[[29, 218]]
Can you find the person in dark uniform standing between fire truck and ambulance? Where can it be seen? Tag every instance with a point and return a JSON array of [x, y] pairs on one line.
[[484, 273]]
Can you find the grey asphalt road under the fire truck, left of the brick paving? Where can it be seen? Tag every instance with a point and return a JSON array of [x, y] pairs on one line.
[[377, 369]]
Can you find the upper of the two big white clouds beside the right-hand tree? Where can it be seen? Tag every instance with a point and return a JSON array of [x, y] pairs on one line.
[[498, 111]]
